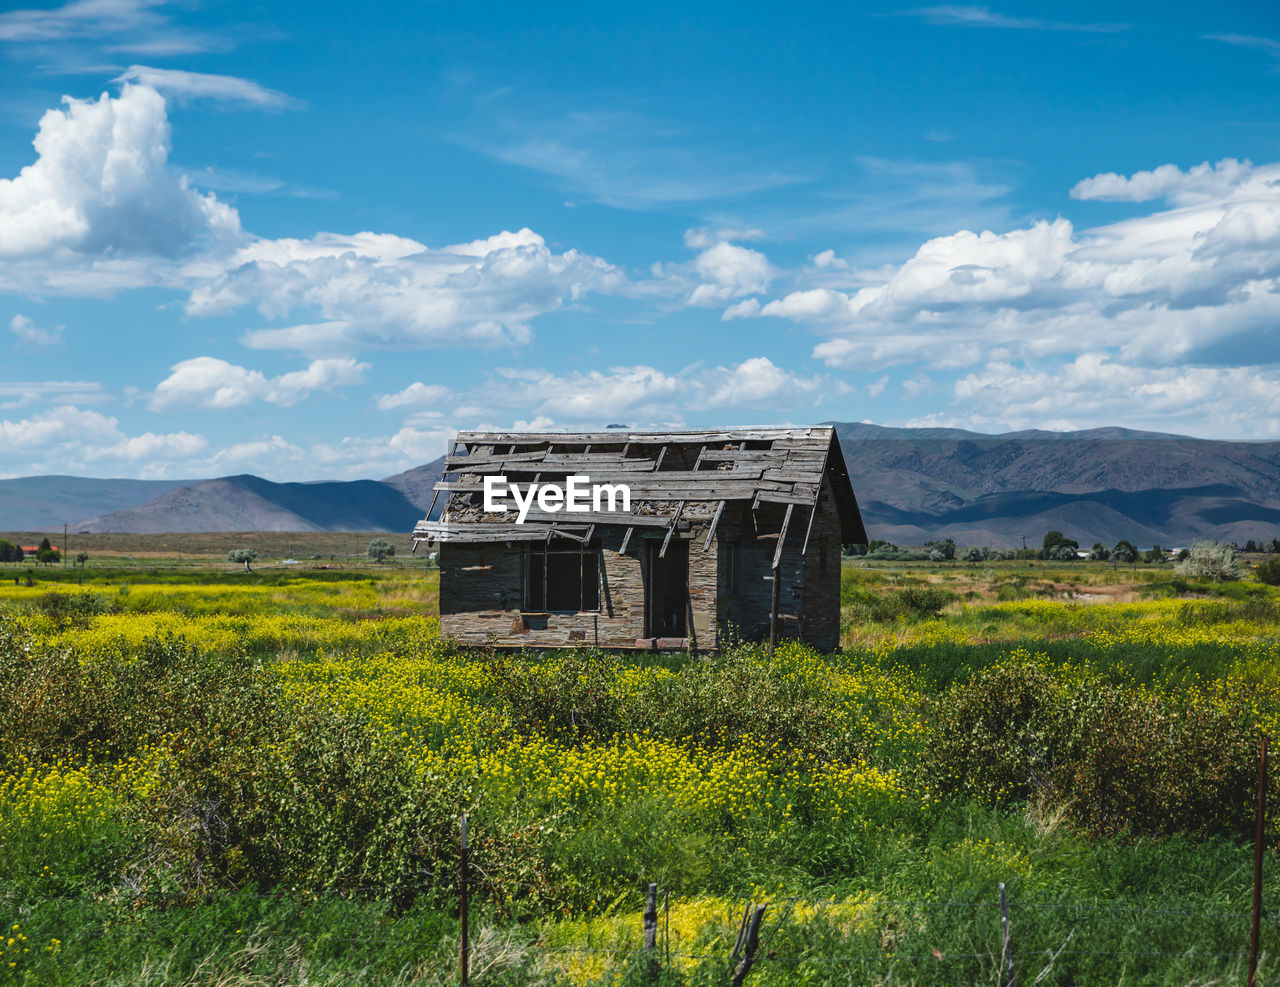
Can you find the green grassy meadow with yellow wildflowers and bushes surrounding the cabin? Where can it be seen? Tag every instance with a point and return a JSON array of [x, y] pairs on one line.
[[216, 776]]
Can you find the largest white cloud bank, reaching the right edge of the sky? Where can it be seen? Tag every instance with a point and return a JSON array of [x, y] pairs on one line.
[[1168, 287]]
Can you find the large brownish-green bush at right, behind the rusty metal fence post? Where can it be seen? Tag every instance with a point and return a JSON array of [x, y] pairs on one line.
[[1114, 760]]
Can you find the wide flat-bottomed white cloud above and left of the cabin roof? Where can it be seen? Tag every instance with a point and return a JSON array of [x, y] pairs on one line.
[[387, 291]]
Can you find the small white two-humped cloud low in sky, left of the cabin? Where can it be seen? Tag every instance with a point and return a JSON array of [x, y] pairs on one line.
[[208, 382]]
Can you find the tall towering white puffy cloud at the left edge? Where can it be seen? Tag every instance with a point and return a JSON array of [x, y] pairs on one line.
[[100, 186]]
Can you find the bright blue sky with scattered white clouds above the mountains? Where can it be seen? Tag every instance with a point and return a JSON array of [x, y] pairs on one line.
[[316, 240]]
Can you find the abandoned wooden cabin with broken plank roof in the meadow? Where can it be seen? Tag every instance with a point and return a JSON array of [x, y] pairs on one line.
[[728, 533]]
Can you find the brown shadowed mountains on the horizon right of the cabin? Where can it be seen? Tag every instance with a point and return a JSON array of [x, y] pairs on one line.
[[1100, 486]]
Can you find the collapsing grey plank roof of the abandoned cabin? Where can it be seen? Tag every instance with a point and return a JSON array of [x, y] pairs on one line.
[[673, 477]]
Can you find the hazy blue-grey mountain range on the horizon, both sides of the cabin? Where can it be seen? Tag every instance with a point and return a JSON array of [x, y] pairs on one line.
[[913, 486]]
